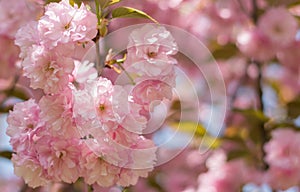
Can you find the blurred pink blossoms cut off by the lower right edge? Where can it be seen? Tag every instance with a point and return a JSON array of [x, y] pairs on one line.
[[282, 155]]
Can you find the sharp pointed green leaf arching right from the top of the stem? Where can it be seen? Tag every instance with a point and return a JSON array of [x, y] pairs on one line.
[[129, 12]]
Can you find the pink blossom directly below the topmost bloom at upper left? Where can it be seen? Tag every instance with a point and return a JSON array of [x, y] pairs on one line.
[[47, 70]]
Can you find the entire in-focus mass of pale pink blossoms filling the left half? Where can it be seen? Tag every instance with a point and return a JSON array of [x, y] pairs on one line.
[[90, 128]]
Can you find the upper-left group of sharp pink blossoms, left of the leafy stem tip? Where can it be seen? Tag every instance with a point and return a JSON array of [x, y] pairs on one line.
[[50, 45]]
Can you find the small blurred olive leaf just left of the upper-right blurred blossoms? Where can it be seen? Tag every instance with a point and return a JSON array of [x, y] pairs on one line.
[[225, 52]]
